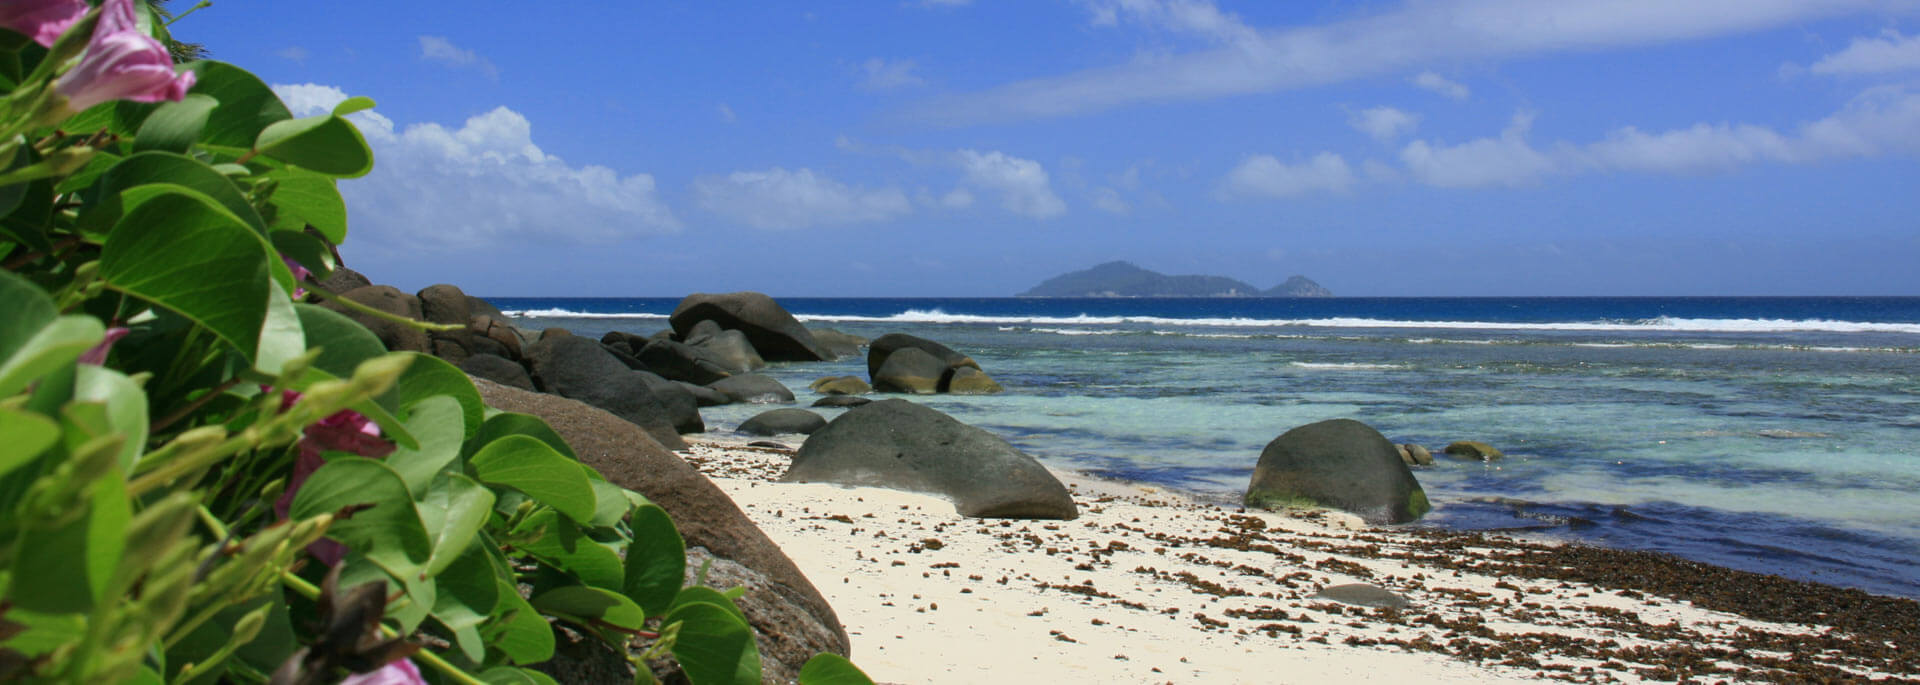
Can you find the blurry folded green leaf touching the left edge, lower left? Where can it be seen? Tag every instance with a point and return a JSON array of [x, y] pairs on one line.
[[68, 569]]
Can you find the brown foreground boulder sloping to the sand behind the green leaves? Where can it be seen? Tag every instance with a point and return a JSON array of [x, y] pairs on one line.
[[792, 623]]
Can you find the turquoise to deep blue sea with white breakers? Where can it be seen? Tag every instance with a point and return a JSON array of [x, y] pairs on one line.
[[1773, 435]]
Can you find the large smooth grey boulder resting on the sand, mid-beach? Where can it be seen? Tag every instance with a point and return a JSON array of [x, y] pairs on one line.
[[905, 446]]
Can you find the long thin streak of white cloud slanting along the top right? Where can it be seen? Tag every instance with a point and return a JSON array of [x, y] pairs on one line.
[[1395, 41]]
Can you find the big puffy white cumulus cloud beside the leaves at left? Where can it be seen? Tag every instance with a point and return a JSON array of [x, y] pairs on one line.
[[483, 183]]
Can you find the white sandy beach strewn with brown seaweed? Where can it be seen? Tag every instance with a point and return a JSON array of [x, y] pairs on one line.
[[1147, 588]]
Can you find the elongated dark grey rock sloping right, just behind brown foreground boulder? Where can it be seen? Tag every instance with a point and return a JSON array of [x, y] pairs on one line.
[[583, 369]]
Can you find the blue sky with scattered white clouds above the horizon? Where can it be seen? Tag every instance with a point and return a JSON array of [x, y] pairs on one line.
[[974, 149]]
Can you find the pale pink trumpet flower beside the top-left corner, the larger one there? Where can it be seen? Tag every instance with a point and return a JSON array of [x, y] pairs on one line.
[[122, 64]]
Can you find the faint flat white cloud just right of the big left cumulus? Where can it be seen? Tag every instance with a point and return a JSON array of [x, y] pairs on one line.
[[780, 199]]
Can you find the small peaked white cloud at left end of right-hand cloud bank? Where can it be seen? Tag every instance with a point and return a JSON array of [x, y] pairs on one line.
[[1487, 162]]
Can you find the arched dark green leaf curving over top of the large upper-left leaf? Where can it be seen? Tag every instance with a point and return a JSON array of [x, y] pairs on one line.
[[107, 202]]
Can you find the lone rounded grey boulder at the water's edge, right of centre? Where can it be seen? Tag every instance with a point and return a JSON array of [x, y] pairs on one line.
[[1339, 465]]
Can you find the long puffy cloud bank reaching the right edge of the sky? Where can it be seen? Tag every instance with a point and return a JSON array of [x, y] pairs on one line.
[[1883, 122]]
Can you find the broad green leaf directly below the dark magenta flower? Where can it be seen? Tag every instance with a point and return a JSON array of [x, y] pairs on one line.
[[391, 532]]
